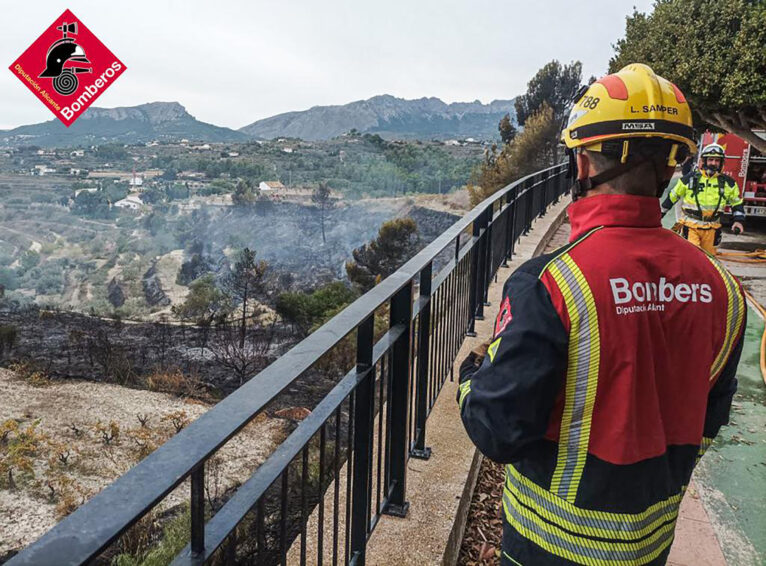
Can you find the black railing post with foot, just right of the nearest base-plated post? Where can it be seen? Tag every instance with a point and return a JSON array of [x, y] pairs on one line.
[[420, 450]]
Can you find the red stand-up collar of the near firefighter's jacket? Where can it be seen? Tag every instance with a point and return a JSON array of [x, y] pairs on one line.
[[627, 211]]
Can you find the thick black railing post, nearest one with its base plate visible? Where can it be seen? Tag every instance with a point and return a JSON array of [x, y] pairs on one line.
[[401, 313]]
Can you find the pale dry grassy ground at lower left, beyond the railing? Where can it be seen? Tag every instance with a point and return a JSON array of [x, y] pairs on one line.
[[76, 437]]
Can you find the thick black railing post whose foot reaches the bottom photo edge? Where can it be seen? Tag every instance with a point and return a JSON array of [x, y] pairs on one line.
[[363, 425]]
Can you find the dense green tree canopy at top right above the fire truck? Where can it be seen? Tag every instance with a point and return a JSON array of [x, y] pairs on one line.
[[714, 51]]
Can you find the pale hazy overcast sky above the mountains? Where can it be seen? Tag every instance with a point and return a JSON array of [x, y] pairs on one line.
[[233, 62]]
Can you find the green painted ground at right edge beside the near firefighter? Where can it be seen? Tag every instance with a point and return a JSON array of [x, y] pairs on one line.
[[732, 475]]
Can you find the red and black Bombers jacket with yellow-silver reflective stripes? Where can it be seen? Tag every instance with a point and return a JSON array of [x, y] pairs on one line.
[[611, 370]]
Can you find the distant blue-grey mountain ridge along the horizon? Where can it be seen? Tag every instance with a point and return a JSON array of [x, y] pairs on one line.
[[386, 115]]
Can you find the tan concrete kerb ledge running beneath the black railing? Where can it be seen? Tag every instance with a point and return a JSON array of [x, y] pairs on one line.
[[440, 489]]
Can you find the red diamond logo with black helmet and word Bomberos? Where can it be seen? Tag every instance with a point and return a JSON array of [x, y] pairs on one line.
[[67, 68]]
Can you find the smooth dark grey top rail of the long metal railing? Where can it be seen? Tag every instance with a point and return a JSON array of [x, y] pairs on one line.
[[96, 524]]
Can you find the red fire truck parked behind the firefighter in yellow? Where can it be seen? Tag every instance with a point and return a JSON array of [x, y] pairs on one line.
[[747, 166]]
